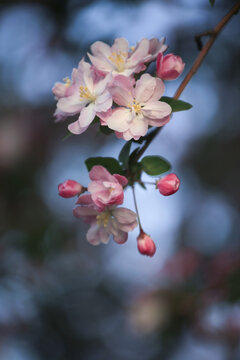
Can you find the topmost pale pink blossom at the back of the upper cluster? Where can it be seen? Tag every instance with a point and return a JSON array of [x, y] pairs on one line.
[[118, 59]]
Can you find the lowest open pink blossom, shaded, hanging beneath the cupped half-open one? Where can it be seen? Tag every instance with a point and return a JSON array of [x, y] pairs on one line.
[[112, 221]]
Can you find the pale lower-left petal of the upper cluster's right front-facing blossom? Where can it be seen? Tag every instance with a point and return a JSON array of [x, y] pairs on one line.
[[120, 119]]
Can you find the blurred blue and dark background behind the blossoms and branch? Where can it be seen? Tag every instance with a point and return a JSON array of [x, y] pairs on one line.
[[63, 299]]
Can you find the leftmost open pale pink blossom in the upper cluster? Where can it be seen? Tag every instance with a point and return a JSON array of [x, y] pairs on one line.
[[89, 95]]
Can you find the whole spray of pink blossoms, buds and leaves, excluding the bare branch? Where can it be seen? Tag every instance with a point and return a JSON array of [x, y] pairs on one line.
[[115, 90]]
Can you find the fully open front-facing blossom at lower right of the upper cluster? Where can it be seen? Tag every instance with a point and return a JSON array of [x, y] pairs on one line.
[[139, 106]]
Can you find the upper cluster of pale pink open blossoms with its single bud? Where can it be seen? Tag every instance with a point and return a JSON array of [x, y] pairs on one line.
[[108, 90]]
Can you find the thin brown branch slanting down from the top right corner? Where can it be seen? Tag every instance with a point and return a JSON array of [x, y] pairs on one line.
[[213, 35]]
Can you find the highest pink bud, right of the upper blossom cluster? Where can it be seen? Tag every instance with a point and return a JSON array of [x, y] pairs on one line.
[[169, 67]]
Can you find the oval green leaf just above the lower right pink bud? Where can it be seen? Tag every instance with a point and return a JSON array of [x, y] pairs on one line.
[[155, 165]]
